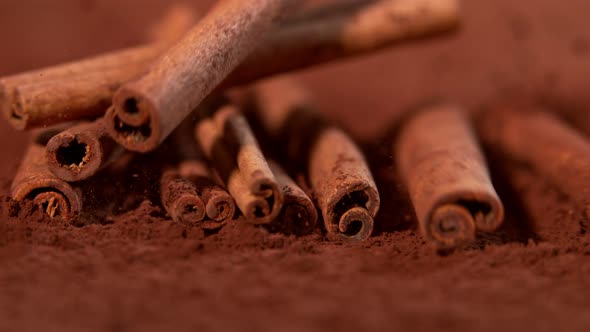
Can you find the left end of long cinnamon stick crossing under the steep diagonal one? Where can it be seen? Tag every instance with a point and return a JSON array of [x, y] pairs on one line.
[[84, 89]]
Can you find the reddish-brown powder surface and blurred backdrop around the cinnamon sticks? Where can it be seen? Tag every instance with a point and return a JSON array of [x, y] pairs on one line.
[[127, 267]]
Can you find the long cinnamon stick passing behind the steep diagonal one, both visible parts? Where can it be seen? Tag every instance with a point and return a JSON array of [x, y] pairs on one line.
[[316, 36]]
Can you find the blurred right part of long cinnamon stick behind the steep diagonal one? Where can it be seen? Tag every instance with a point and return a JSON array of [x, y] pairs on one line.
[[345, 29]]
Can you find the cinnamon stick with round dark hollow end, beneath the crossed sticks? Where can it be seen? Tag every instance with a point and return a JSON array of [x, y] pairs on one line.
[[79, 152]]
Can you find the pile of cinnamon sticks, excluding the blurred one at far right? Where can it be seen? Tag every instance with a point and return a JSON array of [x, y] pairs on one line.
[[247, 147]]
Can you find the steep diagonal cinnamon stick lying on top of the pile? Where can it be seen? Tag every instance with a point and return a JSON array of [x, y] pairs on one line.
[[157, 102]]
